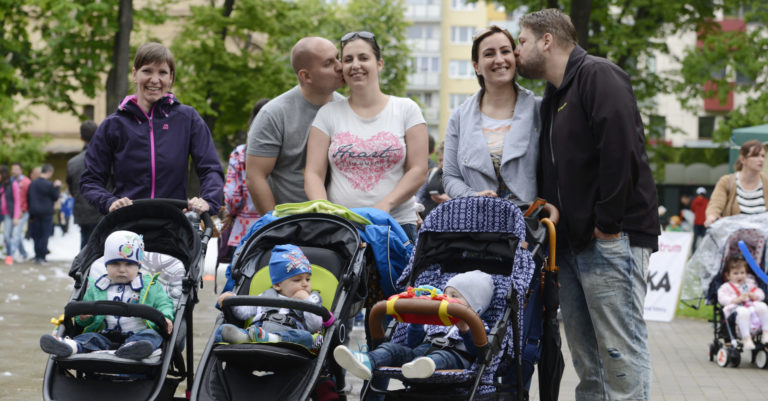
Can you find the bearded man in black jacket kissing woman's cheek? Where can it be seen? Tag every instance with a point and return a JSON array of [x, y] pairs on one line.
[[594, 168]]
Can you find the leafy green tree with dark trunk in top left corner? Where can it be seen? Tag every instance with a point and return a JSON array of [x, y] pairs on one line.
[[75, 42]]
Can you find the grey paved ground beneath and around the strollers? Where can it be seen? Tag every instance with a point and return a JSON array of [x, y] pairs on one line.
[[30, 295]]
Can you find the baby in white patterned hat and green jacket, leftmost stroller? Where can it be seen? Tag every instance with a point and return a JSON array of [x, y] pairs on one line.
[[133, 337]]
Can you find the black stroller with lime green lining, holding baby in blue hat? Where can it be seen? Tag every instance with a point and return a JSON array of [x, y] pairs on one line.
[[284, 371]]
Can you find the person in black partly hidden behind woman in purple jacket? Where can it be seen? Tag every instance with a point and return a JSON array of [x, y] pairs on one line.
[[86, 216]]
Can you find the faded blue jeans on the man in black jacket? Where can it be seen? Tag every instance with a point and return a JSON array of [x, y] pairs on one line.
[[601, 299]]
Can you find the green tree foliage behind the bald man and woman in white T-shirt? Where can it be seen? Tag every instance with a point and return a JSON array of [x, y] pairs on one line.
[[230, 56]]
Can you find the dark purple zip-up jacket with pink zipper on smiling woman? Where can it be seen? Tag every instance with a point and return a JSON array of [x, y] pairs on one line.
[[149, 153]]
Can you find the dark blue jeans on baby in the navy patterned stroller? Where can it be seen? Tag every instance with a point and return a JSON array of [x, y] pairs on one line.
[[391, 354]]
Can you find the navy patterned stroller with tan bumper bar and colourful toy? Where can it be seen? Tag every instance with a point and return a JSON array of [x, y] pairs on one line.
[[465, 234]]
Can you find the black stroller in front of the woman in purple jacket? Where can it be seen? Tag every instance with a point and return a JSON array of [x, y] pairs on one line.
[[176, 250]]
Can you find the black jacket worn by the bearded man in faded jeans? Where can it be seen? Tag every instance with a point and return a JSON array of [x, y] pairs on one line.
[[593, 164]]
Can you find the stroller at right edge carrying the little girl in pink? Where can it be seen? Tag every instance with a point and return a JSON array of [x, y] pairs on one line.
[[726, 347]]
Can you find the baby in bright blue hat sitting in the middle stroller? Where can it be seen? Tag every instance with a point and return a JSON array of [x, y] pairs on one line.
[[290, 273]]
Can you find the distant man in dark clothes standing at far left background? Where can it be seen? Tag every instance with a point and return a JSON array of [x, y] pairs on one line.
[[41, 196]]
